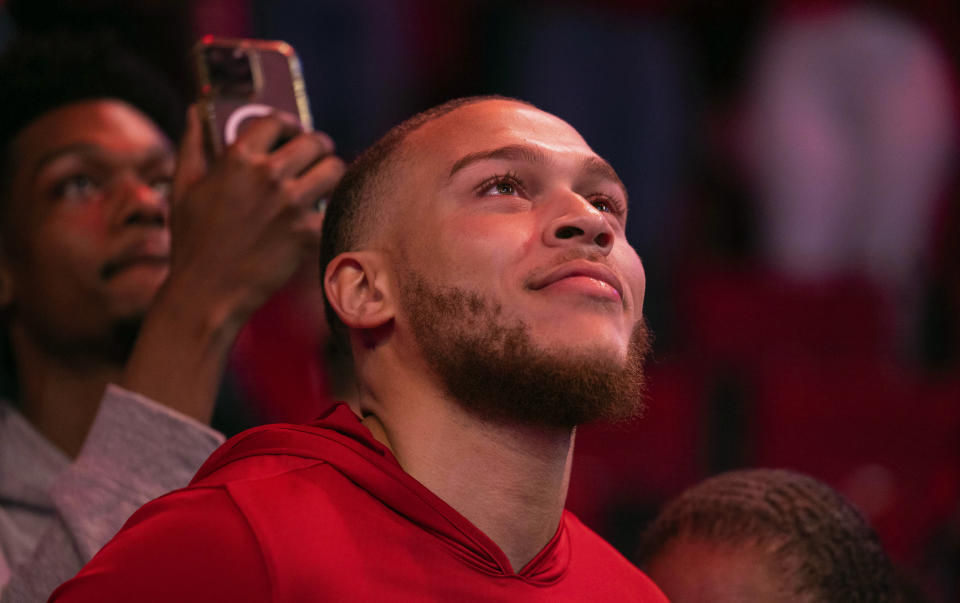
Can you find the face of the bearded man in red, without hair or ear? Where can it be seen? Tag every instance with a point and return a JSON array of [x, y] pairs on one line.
[[507, 220]]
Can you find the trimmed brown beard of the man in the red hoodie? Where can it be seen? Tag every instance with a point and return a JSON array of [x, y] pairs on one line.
[[491, 367]]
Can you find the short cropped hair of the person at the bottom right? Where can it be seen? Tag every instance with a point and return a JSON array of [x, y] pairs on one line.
[[828, 549]]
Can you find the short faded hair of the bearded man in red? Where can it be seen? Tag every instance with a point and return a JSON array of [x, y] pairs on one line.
[[353, 208]]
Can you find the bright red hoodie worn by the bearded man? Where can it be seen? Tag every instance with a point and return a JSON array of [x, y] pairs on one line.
[[324, 512]]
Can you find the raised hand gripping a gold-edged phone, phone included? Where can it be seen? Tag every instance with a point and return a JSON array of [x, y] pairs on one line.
[[244, 218]]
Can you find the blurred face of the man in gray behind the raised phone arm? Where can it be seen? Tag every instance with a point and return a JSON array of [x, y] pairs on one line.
[[86, 241]]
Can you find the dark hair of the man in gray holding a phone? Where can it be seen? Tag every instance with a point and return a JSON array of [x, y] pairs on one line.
[[42, 72]]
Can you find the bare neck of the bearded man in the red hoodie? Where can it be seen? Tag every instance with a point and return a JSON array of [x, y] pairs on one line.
[[509, 481]]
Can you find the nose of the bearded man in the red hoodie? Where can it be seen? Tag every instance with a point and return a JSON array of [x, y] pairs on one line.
[[578, 222]]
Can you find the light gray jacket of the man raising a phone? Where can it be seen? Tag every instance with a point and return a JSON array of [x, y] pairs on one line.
[[55, 514]]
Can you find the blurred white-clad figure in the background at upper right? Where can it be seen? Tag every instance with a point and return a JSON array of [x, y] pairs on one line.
[[862, 97]]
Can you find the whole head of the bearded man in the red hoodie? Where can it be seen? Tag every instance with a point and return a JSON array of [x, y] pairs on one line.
[[478, 252]]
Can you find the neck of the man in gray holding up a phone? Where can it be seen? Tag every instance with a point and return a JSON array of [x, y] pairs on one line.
[[59, 397]]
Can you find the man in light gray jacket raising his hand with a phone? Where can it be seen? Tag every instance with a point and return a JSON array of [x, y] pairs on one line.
[[126, 270]]
